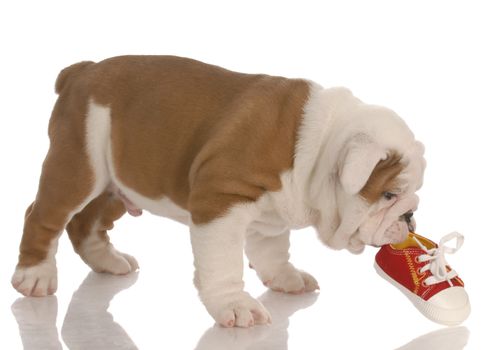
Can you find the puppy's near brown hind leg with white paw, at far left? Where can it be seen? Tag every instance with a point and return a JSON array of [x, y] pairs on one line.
[[66, 185]]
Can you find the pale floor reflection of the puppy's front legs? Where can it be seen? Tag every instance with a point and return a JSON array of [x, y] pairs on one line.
[[268, 337]]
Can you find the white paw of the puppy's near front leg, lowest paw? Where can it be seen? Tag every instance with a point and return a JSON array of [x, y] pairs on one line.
[[237, 310]]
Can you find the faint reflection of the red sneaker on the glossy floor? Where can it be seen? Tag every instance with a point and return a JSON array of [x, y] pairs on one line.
[[455, 338]]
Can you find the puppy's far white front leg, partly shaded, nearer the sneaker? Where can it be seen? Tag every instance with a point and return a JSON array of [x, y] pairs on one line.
[[269, 257]]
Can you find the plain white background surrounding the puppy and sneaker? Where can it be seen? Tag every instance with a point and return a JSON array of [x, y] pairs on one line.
[[436, 63]]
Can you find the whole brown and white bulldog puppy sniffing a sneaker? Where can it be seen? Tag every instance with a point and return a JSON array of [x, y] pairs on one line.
[[241, 159]]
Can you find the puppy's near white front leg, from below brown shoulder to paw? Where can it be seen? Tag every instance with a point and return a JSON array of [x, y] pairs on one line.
[[218, 259]]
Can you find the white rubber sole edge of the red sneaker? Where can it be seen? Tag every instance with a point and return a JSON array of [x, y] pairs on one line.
[[434, 313]]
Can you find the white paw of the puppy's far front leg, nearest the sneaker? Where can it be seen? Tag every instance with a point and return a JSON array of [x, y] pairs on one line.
[[290, 280]]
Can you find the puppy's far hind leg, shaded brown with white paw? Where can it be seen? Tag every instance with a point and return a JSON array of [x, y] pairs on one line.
[[88, 234]]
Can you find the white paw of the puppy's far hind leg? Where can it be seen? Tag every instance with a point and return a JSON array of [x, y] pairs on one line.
[[110, 260]]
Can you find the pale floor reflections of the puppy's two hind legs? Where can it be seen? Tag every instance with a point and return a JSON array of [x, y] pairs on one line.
[[87, 324]]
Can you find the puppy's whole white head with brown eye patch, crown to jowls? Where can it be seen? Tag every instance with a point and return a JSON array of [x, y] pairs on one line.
[[379, 169]]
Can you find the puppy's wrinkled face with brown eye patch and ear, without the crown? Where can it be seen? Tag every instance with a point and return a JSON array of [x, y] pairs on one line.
[[376, 193]]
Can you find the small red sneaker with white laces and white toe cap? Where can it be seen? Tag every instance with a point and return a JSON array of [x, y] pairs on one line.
[[418, 268]]
